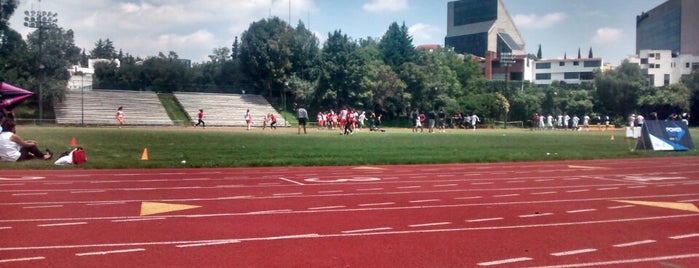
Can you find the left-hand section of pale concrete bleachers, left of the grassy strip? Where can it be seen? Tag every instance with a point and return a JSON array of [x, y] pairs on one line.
[[98, 107]]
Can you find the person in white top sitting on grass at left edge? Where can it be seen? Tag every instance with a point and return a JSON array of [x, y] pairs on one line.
[[13, 148]]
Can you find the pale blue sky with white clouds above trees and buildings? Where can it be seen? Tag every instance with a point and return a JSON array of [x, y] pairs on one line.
[[194, 28]]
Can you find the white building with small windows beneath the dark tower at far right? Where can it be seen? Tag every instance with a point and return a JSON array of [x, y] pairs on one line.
[[663, 67]]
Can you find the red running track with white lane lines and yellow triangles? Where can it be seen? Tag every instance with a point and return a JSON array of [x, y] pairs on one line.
[[616, 213]]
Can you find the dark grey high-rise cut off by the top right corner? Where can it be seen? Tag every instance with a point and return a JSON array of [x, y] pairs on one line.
[[673, 26]]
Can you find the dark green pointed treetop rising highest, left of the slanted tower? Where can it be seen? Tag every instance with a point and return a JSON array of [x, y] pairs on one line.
[[396, 46]]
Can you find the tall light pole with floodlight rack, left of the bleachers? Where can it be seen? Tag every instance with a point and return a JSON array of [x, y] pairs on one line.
[[40, 20]]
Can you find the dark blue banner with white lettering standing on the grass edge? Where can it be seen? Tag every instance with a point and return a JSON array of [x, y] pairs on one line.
[[664, 136]]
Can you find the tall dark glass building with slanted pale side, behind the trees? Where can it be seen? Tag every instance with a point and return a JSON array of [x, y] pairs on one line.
[[477, 26]]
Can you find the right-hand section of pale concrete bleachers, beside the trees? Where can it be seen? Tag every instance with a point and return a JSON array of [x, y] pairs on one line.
[[227, 109]]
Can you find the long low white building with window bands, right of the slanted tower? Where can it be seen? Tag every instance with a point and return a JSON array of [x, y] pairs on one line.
[[569, 71]]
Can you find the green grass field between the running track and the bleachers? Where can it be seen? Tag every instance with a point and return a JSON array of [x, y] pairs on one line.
[[110, 147]]
